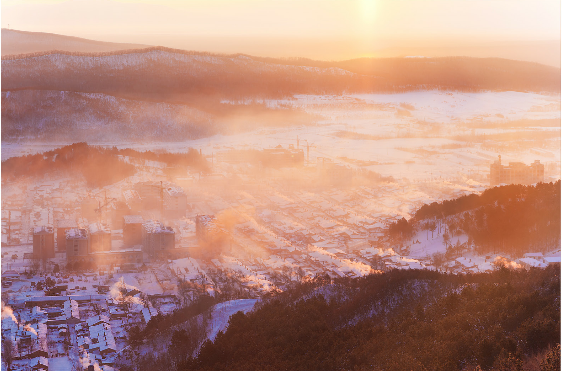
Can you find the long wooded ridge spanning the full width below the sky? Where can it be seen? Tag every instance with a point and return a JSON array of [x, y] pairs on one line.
[[171, 75]]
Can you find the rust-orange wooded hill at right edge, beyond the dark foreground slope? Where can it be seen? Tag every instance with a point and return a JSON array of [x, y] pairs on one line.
[[513, 219]]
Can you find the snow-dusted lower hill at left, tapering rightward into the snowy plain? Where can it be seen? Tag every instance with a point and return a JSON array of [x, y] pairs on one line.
[[51, 116]]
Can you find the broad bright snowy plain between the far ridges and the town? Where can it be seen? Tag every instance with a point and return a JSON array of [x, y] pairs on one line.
[[414, 135]]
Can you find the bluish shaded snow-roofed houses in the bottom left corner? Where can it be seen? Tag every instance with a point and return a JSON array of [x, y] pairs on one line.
[[44, 328]]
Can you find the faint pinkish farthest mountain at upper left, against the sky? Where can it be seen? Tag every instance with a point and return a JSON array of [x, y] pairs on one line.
[[23, 42]]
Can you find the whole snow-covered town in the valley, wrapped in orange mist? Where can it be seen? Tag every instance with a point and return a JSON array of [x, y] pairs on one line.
[[81, 267]]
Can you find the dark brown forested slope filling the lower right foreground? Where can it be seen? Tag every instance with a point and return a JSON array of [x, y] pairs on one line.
[[505, 320]]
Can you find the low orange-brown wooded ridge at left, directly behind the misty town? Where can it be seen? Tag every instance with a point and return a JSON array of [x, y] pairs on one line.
[[98, 165]]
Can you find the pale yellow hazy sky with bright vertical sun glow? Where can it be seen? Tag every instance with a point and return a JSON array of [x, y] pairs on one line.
[[330, 28]]
